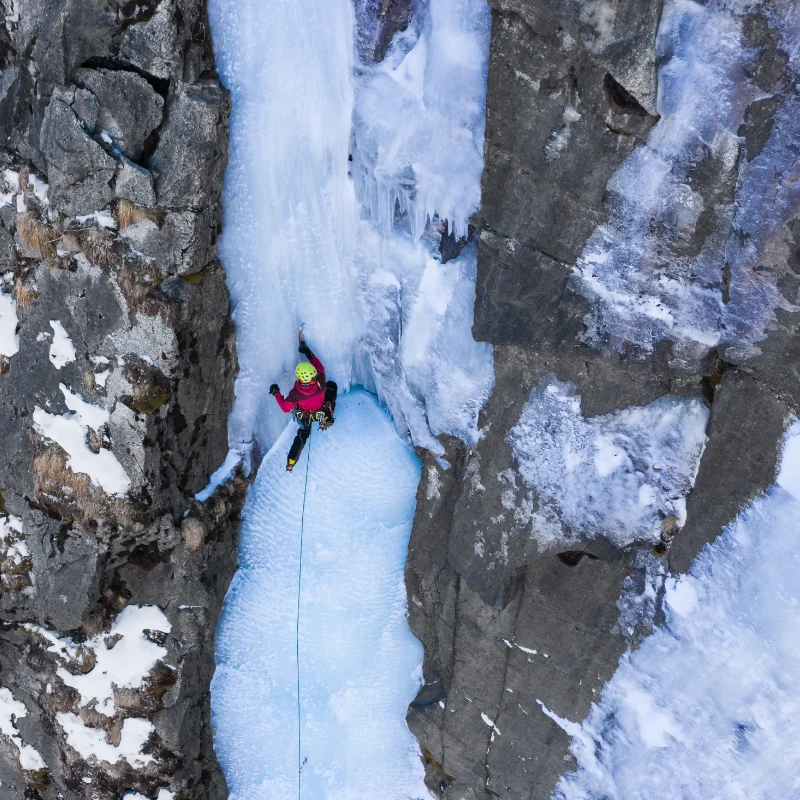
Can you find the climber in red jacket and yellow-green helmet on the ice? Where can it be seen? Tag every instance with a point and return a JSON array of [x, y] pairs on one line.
[[312, 398]]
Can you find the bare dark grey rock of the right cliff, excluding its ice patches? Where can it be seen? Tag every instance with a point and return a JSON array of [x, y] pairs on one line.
[[510, 624]]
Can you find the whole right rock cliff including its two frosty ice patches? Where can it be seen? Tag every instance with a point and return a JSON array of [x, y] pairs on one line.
[[521, 601]]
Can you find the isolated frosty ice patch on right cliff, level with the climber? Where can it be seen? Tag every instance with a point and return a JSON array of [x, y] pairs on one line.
[[616, 475]]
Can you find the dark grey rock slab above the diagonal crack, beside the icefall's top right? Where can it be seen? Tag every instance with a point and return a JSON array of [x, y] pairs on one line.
[[546, 172]]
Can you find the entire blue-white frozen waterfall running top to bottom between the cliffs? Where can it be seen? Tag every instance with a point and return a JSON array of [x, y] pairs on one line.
[[384, 310]]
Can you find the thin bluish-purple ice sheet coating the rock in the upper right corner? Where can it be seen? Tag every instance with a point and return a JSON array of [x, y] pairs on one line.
[[639, 269]]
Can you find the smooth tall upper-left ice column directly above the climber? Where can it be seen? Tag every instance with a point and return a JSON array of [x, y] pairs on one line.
[[289, 207]]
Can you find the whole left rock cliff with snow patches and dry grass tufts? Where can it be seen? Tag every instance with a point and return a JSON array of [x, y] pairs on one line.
[[117, 362]]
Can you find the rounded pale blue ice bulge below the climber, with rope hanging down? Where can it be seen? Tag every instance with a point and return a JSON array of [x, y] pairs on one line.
[[359, 662]]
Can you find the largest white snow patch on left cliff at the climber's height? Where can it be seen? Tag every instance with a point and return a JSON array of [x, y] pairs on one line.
[[70, 431]]
